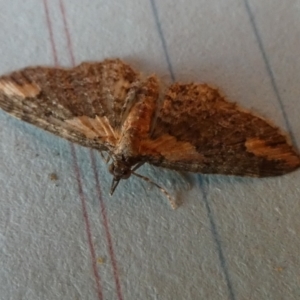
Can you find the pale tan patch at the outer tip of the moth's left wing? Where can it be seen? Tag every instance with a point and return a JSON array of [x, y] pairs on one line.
[[25, 91]]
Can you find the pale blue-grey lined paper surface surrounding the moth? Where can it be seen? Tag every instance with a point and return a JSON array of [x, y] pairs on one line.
[[231, 239]]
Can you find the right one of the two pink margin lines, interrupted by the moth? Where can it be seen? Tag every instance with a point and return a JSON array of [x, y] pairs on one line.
[[102, 205]]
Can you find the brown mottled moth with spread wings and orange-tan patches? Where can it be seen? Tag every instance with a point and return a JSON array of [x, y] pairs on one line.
[[112, 108]]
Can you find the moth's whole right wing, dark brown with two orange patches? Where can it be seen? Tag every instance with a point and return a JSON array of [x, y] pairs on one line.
[[197, 130]]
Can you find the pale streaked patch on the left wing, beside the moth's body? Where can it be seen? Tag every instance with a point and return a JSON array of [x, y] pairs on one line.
[[95, 128]]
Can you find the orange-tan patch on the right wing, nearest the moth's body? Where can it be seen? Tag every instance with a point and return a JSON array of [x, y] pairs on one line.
[[171, 149]]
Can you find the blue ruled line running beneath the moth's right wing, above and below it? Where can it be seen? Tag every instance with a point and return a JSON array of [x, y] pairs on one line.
[[203, 187]]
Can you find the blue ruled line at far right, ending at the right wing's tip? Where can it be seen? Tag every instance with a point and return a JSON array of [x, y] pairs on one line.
[[269, 69]]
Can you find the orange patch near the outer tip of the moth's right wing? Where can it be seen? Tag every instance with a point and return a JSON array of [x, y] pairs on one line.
[[260, 148]]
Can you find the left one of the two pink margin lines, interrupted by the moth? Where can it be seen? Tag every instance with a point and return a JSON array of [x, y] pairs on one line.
[[77, 174]]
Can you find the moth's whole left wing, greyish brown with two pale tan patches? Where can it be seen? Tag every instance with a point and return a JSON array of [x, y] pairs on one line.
[[84, 104]]
